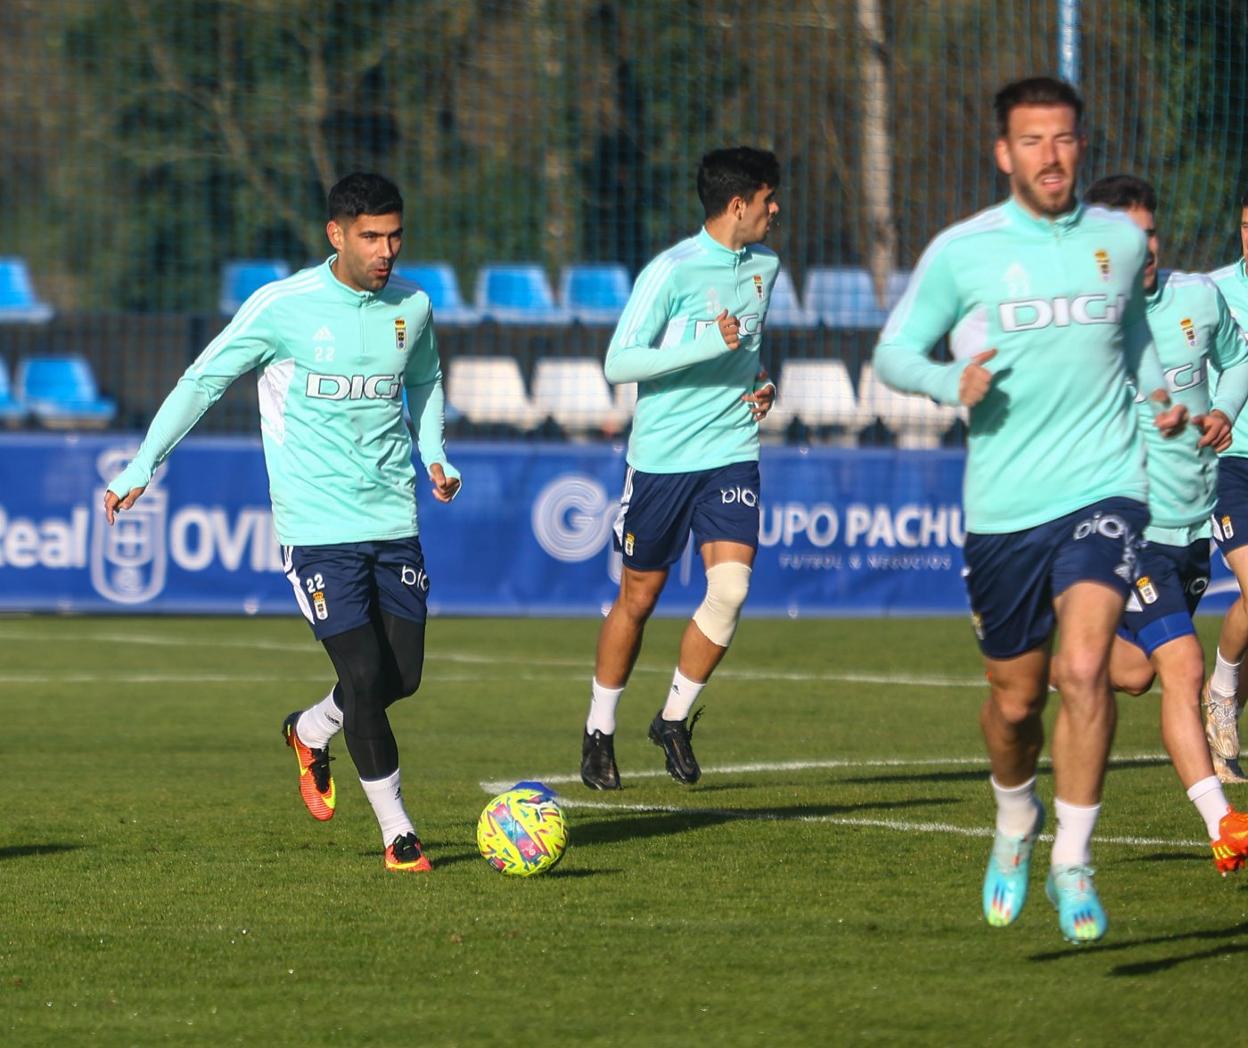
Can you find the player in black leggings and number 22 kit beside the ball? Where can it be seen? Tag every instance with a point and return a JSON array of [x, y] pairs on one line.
[[335, 347]]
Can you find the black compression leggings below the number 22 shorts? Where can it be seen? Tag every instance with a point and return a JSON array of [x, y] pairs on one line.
[[378, 666]]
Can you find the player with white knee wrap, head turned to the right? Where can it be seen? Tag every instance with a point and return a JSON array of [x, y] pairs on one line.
[[690, 337]]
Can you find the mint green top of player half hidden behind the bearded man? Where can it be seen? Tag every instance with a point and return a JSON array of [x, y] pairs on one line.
[[1194, 332]]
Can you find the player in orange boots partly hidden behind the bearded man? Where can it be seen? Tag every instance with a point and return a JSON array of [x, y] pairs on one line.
[[1196, 340]]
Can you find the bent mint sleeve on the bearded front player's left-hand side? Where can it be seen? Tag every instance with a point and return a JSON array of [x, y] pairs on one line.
[[925, 315]]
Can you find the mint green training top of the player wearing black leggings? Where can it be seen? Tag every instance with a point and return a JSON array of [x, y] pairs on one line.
[[333, 365]]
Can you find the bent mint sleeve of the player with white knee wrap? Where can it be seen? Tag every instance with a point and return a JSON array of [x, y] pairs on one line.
[[637, 352]]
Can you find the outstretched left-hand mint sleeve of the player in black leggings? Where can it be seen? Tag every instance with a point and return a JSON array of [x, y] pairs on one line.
[[246, 344]]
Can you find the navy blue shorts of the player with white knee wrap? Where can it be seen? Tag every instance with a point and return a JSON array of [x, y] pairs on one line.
[[658, 511]]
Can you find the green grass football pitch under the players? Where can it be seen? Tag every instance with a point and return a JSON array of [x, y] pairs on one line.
[[163, 885]]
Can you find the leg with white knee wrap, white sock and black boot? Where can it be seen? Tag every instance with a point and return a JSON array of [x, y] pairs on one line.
[[703, 646]]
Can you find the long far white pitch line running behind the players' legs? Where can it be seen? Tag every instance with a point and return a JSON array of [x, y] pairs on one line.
[[578, 667]]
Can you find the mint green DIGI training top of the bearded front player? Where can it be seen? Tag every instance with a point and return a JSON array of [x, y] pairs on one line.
[[1063, 303]]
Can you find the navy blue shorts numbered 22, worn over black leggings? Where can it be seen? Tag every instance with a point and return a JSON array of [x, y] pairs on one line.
[[343, 587]]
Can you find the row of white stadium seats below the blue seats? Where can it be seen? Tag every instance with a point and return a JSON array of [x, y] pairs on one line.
[[572, 391]]
